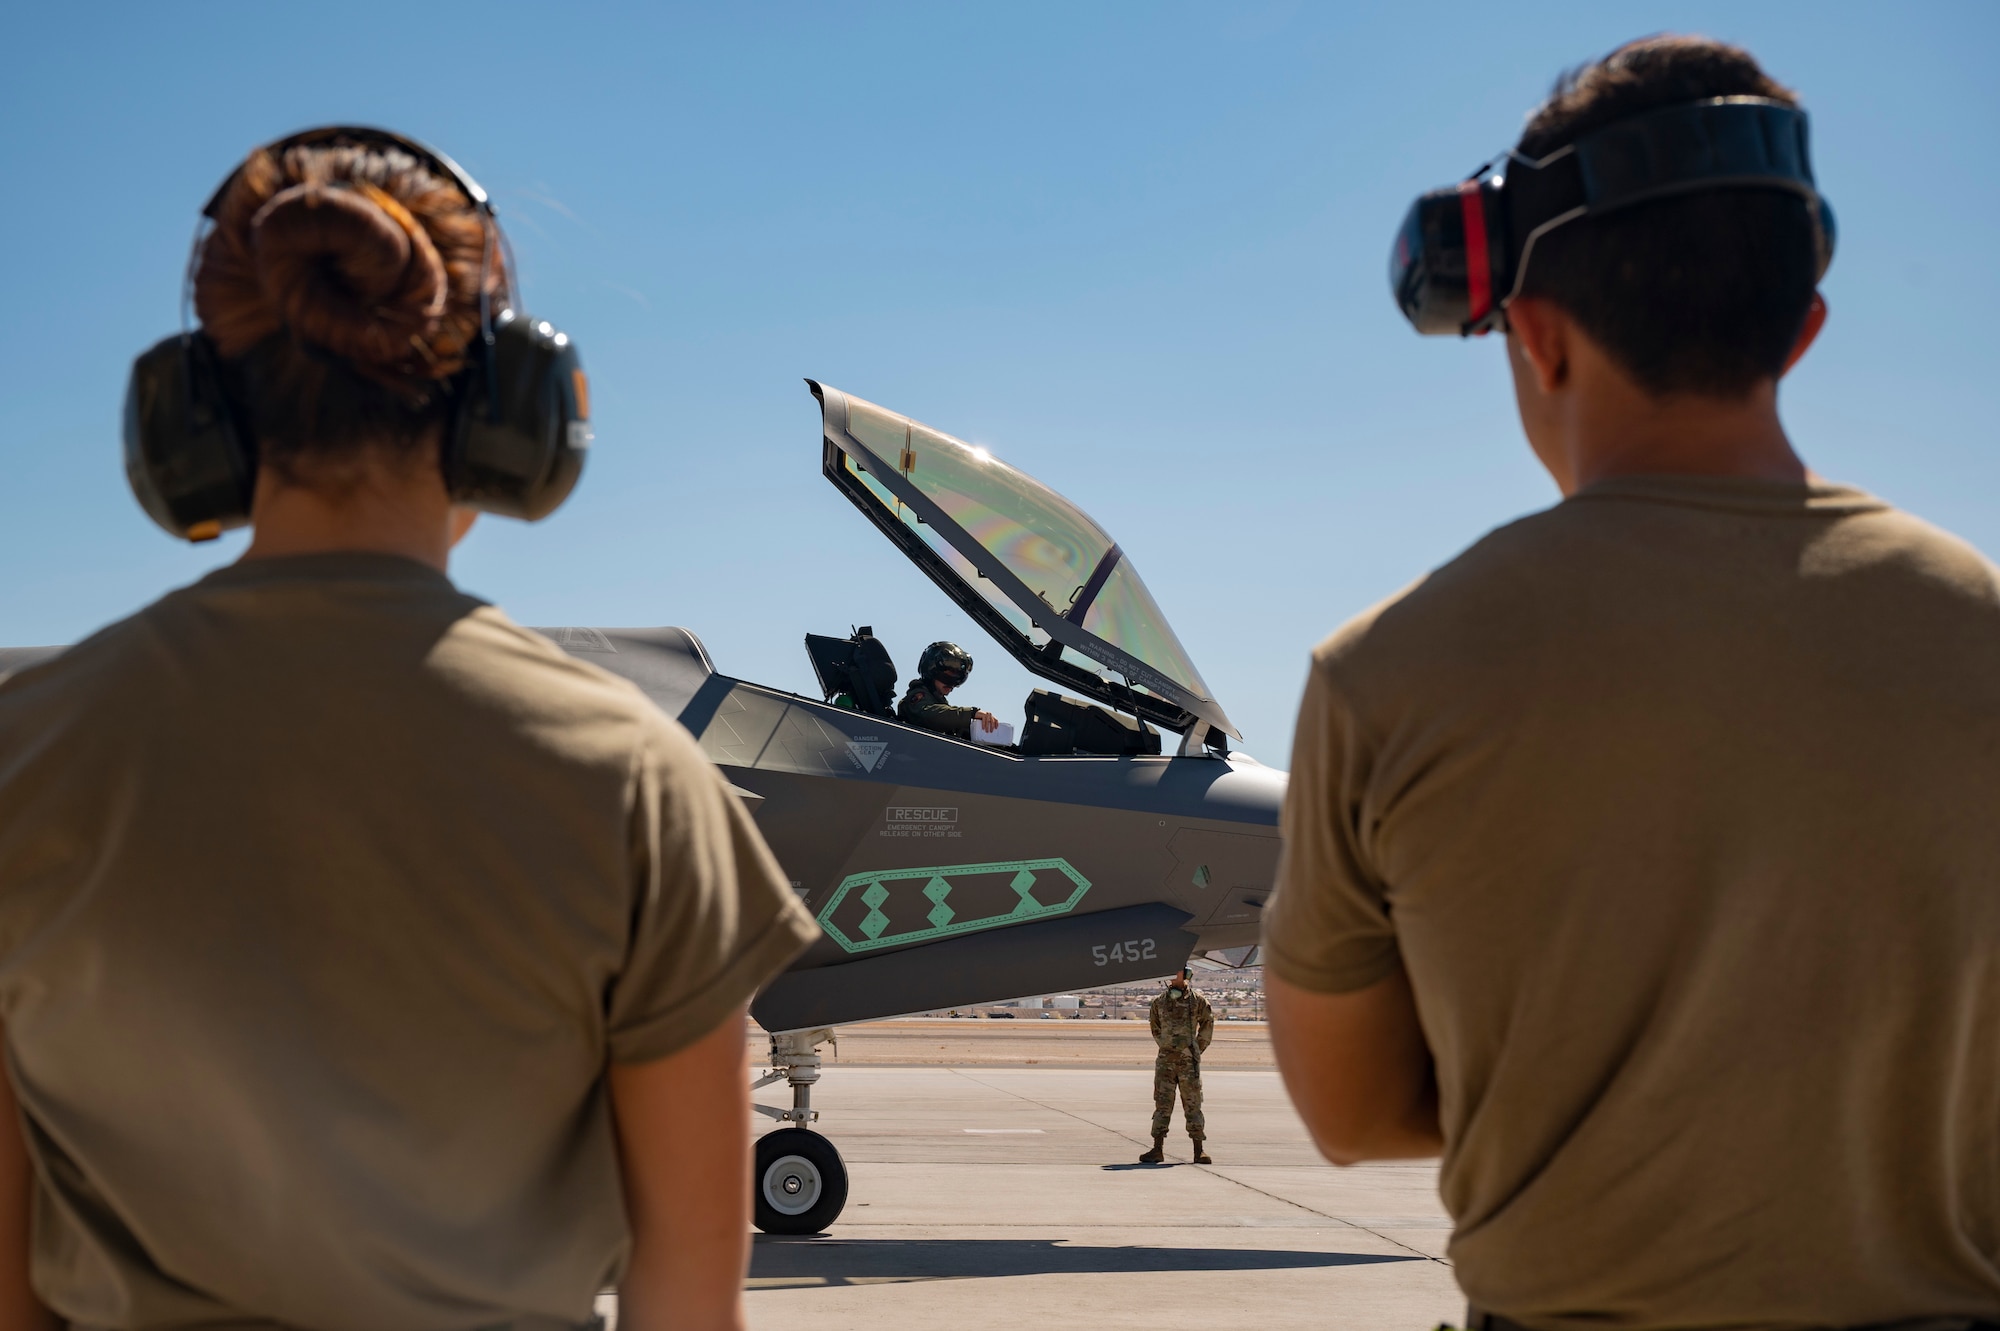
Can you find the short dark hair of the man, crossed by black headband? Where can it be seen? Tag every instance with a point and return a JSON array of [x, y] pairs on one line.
[[1695, 295]]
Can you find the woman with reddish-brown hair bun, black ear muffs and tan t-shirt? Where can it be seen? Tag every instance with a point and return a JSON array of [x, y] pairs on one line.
[[365, 960]]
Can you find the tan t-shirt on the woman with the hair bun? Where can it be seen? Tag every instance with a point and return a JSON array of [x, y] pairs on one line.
[[327, 894]]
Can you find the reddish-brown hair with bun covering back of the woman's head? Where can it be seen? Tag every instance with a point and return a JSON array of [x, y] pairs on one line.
[[341, 287]]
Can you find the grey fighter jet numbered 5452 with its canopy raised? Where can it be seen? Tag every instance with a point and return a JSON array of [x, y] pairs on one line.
[[949, 872]]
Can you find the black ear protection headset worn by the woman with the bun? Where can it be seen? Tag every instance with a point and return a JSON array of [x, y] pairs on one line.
[[515, 439]]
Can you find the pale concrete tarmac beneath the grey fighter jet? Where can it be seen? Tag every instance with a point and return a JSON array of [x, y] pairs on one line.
[[999, 1188]]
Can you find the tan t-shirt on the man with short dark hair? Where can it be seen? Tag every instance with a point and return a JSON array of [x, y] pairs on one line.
[[1681, 804]]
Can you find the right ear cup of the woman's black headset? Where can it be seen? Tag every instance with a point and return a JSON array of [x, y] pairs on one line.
[[521, 429]]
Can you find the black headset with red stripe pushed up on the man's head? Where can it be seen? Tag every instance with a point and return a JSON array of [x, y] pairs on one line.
[[1463, 253]]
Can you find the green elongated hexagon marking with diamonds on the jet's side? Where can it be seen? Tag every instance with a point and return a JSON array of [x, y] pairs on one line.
[[899, 890]]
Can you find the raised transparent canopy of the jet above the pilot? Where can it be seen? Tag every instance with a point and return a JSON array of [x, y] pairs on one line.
[[1031, 567]]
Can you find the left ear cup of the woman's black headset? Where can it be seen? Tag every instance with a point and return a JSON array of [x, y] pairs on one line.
[[185, 453]]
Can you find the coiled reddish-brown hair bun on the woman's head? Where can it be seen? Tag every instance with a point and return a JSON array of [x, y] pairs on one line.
[[353, 273]]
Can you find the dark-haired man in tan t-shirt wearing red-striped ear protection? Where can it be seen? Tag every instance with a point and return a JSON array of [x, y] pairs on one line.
[[1643, 860]]
